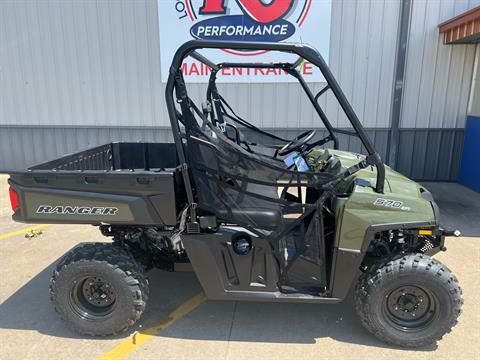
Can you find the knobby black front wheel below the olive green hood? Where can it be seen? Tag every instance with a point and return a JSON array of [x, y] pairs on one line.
[[410, 302]]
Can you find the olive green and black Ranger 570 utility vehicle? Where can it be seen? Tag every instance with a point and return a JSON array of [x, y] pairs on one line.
[[256, 216]]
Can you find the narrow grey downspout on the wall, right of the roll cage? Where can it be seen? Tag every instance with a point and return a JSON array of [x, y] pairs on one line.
[[399, 81]]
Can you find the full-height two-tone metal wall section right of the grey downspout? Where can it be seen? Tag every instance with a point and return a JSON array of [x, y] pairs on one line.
[[437, 85]]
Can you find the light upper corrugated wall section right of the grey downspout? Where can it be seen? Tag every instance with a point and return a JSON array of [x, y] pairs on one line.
[[438, 76]]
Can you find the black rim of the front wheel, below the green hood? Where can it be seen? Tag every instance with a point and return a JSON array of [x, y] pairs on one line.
[[410, 308]]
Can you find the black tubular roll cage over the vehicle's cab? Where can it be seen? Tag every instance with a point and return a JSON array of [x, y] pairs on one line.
[[305, 52]]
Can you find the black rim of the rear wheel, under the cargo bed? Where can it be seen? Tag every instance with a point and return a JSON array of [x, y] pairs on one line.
[[92, 298]]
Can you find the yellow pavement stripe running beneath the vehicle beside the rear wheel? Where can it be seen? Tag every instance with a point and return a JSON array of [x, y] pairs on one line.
[[139, 338]]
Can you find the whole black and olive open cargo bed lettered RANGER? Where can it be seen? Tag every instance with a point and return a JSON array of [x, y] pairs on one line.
[[115, 183]]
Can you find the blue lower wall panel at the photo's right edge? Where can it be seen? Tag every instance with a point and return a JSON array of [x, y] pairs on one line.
[[470, 166]]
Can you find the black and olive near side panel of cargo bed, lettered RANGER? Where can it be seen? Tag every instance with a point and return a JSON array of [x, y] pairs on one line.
[[111, 198]]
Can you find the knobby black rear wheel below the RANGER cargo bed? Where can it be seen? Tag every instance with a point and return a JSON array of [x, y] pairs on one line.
[[99, 289]]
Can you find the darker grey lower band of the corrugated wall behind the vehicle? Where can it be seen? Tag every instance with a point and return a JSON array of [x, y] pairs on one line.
[[435, 156]]
